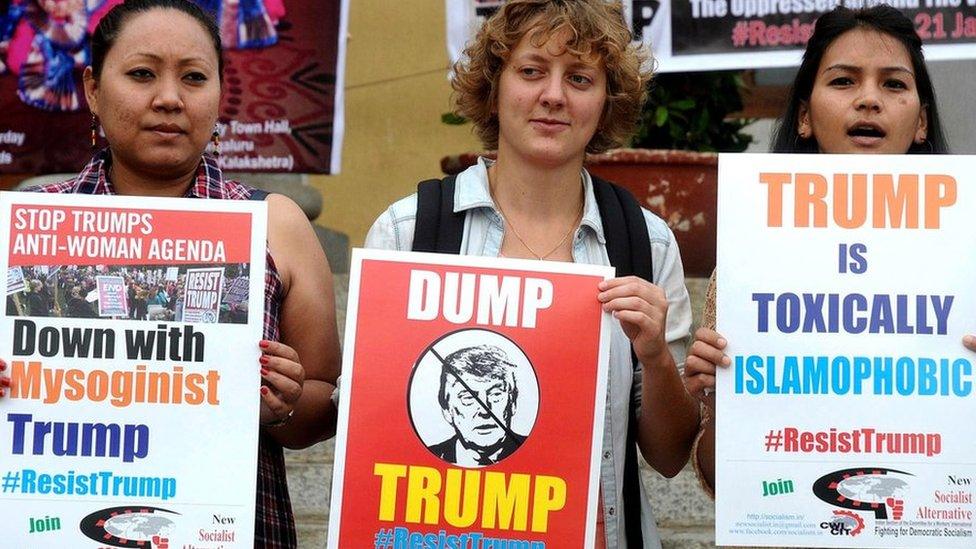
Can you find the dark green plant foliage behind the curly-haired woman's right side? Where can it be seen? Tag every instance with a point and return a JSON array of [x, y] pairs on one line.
[[688, 111]]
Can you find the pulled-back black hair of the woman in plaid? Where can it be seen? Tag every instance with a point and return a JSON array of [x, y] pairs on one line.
[[110, 27]]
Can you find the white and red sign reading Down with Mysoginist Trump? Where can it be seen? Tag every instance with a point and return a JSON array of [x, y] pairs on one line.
[[127, 432]]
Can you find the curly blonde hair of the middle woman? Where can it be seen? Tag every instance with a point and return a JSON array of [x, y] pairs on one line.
[[597, 27]]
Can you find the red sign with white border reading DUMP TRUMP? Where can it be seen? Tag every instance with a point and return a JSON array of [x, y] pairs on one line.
[[472, 406]]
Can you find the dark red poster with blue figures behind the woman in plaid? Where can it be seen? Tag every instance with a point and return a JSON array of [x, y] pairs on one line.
[[283, 84]]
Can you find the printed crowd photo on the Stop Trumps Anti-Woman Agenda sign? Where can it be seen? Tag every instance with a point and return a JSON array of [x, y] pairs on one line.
[[205, 294]]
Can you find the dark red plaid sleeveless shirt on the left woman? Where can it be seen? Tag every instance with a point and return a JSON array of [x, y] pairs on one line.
[[274, 523]]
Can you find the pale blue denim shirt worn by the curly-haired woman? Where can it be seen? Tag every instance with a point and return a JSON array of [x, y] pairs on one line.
[[483, 234]]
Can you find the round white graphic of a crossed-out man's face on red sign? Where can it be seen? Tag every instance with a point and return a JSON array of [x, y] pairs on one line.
[[479, 396]]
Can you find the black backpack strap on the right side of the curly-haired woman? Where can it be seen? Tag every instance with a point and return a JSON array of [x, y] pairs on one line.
[[629, 250]]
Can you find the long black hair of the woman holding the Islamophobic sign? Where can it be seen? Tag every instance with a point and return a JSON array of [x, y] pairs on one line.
[[830, 26]]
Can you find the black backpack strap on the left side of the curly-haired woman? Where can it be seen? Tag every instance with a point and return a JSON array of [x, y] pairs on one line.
[[438, 229]]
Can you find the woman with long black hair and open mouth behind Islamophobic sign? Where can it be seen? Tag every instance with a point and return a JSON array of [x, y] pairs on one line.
[[863, 88]]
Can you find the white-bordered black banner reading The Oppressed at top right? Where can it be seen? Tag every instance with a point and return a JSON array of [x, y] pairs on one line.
[[697, 35]]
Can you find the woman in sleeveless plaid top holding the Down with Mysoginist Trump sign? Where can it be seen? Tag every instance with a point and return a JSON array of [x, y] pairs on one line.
[[155, 84]]
